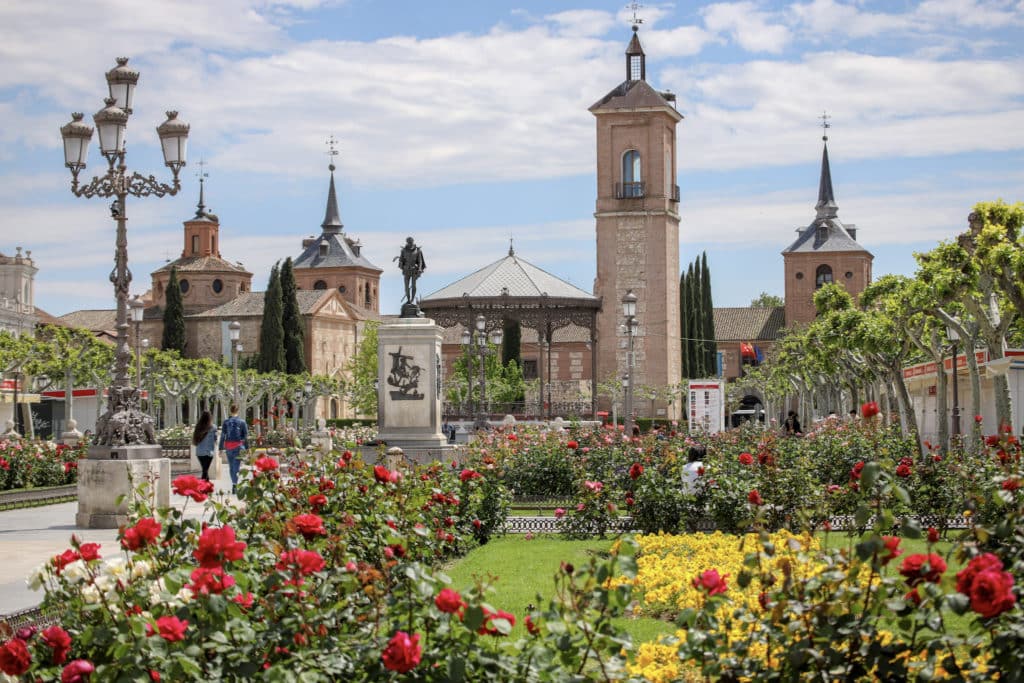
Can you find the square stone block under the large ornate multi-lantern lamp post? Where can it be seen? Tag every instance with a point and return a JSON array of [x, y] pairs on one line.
[[110, 473]]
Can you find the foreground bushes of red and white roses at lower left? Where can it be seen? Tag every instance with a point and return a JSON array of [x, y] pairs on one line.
[[329, 573]]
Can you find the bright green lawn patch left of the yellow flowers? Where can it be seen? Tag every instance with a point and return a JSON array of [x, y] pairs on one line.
[[528, 568]]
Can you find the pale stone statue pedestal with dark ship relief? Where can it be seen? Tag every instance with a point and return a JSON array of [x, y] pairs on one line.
[[409, 400]]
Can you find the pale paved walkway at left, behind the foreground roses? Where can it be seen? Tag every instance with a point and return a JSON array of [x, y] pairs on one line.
[[30, 537]]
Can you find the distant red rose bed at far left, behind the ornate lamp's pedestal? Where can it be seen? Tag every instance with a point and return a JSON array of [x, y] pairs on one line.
[[33, 464]]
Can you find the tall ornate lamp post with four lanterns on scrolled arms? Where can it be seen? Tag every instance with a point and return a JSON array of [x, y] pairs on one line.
[[123, 423]]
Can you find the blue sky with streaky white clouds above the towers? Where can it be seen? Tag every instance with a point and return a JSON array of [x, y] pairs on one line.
[[466, 124]]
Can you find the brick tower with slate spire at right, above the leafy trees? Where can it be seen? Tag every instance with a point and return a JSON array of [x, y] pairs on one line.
[[826, 251]]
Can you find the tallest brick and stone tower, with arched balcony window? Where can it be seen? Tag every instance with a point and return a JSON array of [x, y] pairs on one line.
[[637, 223]]
